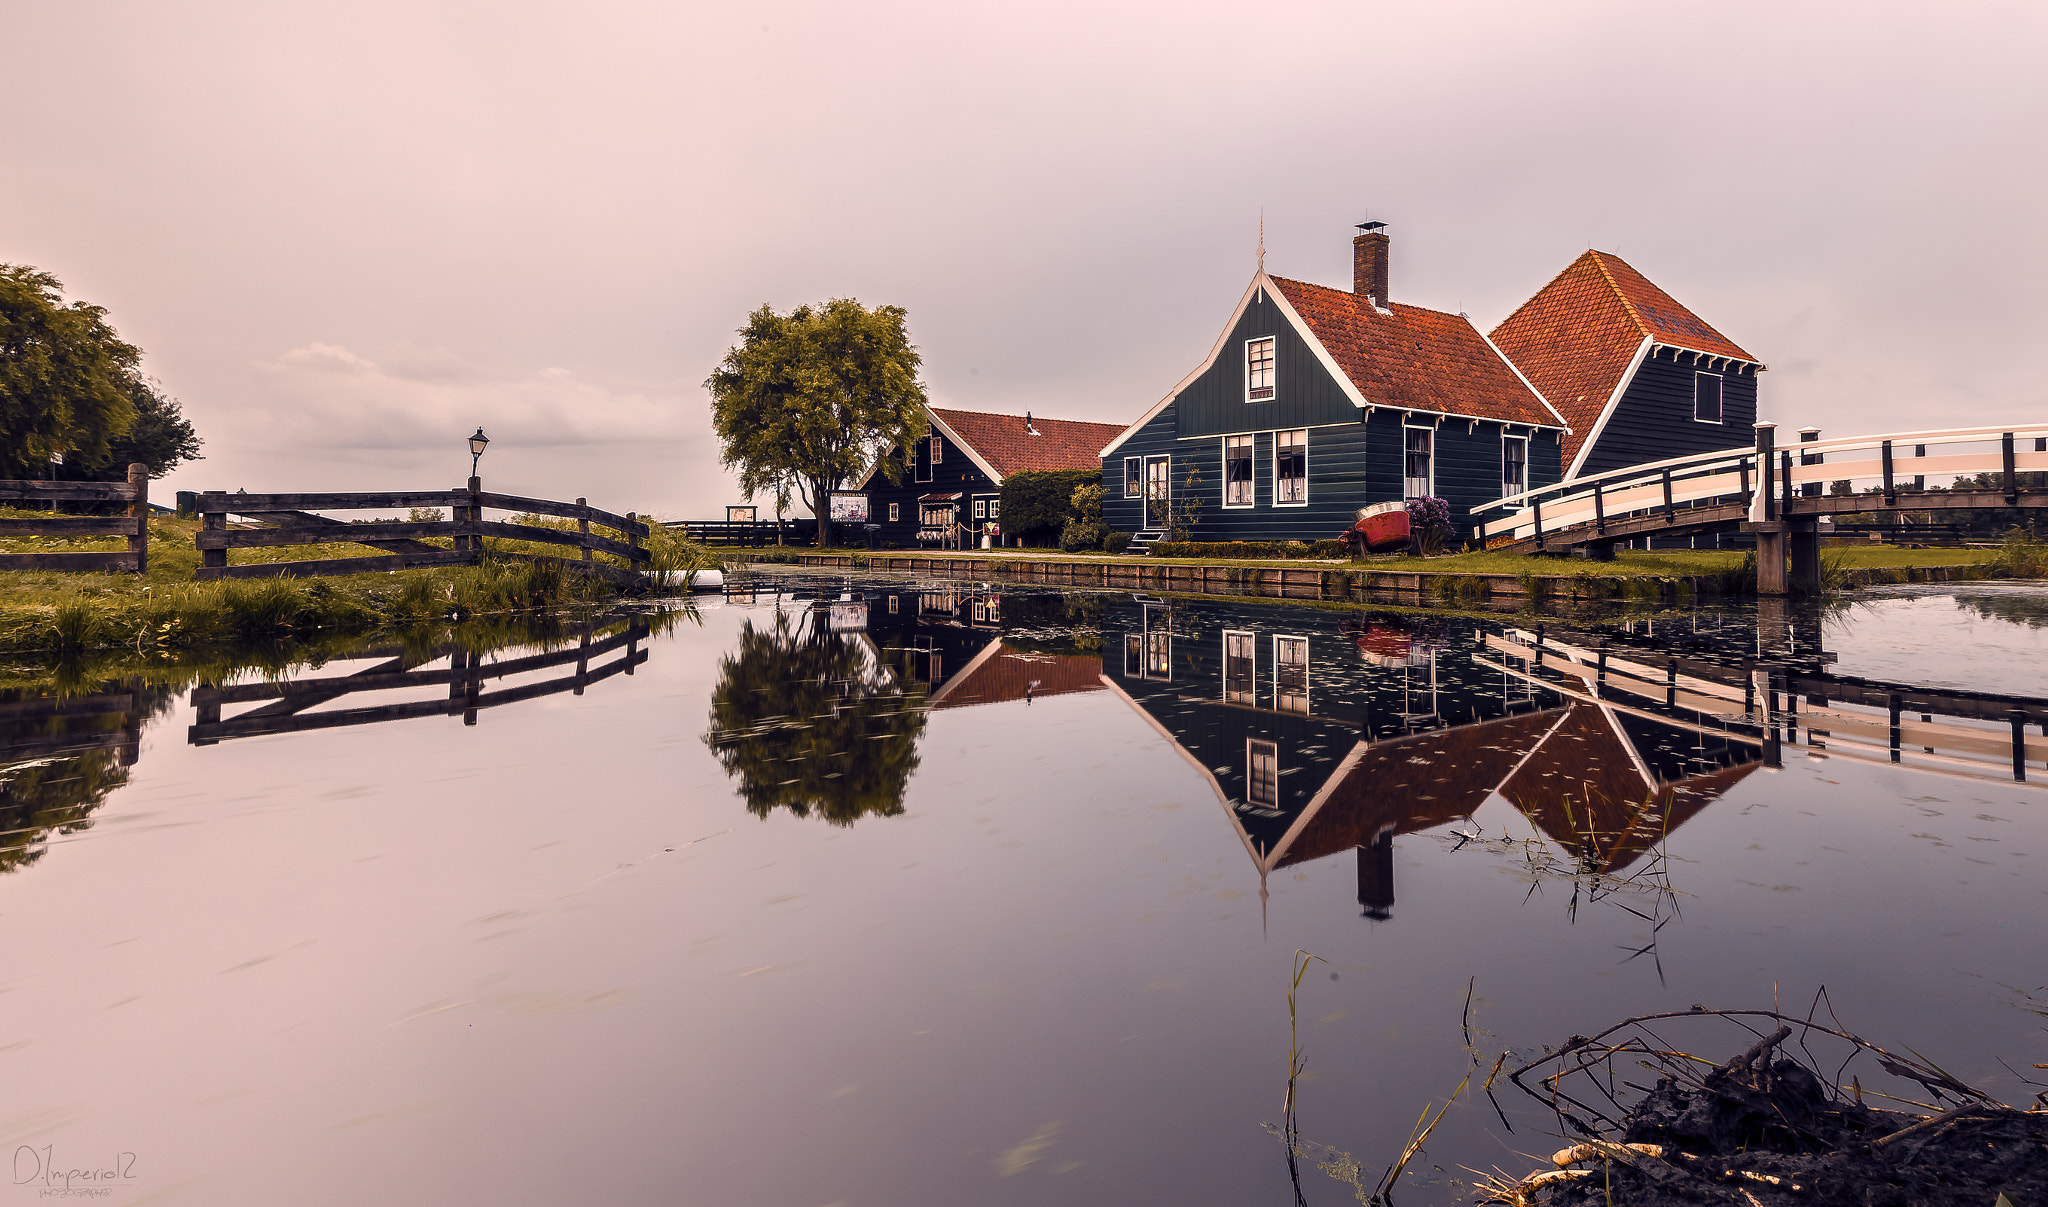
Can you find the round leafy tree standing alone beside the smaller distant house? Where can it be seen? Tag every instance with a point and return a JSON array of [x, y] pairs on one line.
[[812, 399]]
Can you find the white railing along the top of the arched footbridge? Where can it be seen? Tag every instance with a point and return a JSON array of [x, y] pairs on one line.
[[1891, 462]]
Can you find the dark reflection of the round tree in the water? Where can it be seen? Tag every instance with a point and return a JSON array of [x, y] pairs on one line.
[[810, 720]]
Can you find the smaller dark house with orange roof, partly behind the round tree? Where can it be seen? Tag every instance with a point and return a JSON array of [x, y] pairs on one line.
[[957, 472]]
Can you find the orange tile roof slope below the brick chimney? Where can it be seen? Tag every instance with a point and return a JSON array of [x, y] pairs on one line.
[[1416, 358]]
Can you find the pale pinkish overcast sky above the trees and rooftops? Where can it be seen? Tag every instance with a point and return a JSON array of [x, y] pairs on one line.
[[347, 235]]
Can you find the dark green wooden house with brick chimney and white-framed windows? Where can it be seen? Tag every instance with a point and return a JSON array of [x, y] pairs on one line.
[[1316, 403]]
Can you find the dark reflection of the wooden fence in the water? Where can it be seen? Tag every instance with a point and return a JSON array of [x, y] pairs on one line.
[[286, 708]]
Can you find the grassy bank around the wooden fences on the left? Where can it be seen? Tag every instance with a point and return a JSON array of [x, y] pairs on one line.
[[165, 612]]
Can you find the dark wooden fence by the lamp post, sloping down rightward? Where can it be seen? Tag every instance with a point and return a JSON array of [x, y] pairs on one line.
[[292, 522]]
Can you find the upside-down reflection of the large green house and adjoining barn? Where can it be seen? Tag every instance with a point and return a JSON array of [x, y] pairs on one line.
[[1322, 741]]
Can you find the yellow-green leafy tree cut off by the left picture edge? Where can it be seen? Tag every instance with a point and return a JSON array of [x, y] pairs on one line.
[[65, 376]]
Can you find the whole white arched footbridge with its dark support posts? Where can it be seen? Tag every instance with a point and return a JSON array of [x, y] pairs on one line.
[[1775, 493]]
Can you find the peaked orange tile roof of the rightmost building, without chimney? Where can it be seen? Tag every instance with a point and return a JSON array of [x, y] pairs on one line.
[[1578, 335]]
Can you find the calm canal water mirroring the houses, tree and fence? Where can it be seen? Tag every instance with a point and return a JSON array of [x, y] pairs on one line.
[[886, 892]]
